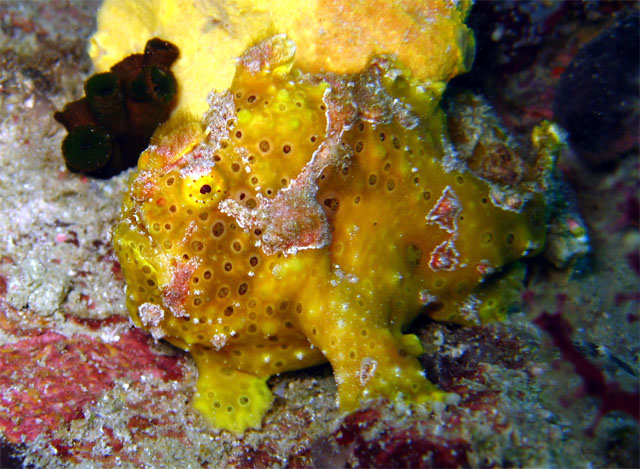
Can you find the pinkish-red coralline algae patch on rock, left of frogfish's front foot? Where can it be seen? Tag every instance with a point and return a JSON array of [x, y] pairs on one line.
[[47, 379]]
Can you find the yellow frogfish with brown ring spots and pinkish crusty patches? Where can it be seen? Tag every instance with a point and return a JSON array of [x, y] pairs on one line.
[[297, 224]]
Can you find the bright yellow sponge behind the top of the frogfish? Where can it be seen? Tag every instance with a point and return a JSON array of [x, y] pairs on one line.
[[429, 37]]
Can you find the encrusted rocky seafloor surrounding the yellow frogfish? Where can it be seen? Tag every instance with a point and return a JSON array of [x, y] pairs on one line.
[[79, 385]]
